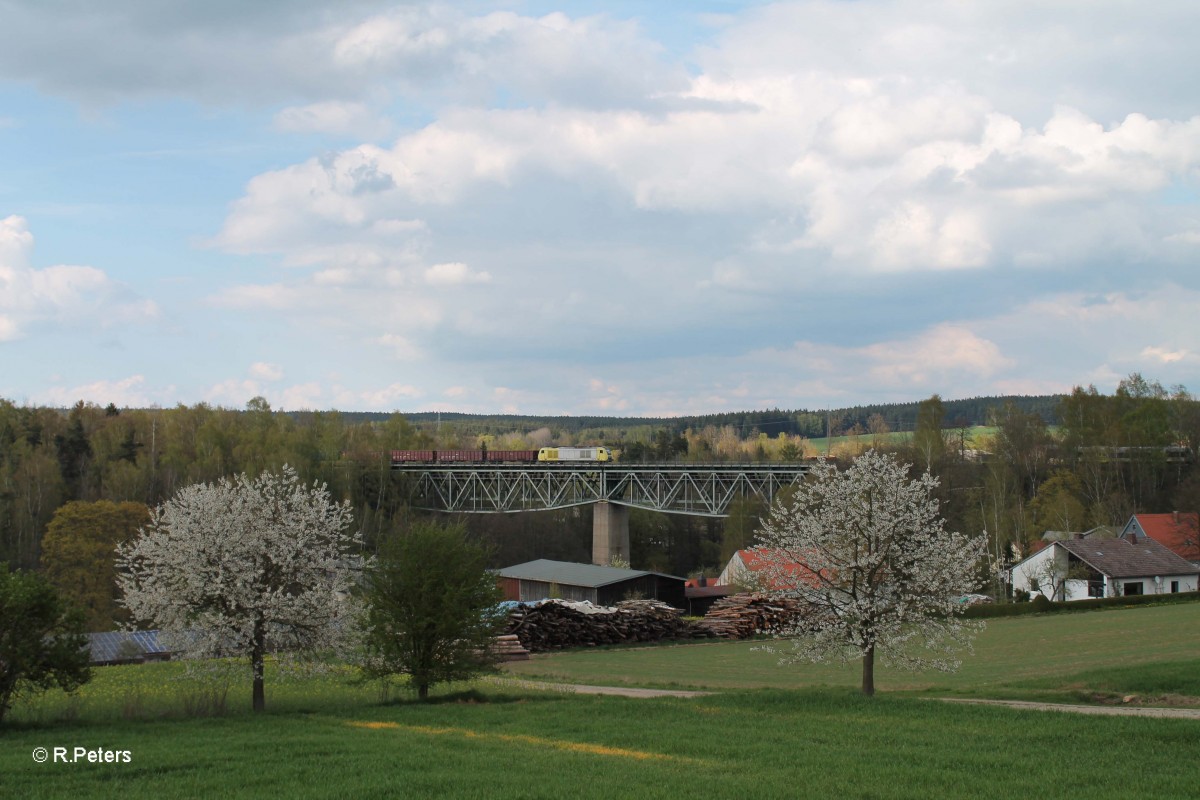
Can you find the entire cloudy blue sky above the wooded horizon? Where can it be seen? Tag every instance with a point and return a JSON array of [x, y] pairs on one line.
[[596, 208]]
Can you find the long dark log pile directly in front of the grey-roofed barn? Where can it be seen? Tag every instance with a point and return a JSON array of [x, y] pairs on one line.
[[556, 624]]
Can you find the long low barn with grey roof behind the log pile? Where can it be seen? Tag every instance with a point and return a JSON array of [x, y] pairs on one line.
[[603, 586]]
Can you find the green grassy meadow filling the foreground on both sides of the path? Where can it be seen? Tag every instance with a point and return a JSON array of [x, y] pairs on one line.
[[765, 731]]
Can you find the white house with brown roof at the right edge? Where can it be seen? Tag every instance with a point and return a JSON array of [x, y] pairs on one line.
[[1078, 569]]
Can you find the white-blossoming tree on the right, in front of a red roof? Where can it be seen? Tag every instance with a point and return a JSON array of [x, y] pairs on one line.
[[866, 558]]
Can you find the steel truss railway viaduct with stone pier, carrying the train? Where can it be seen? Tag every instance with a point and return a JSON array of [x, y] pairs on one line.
[[611, 489]]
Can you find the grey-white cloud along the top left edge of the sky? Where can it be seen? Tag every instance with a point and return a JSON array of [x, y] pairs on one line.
[[268, 53]]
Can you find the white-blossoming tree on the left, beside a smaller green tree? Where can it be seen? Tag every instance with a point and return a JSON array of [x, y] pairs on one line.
[[245, 568]]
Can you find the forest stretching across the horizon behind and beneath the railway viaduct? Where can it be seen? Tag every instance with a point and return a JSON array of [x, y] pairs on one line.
[[1013, 467]]
